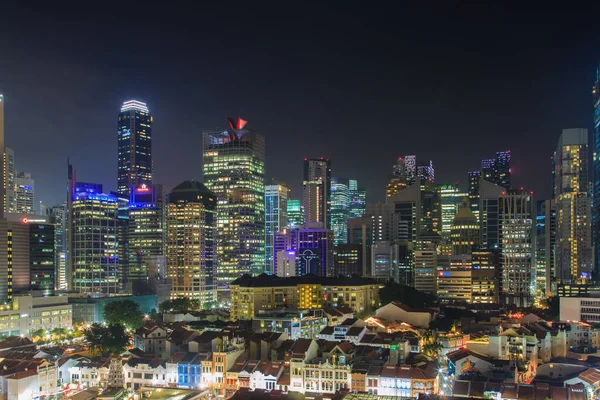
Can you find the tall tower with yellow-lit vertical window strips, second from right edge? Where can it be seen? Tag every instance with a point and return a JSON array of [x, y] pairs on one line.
[[574, 249]]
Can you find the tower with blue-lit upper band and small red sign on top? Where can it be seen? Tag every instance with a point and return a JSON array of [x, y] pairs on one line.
[[146, 236]]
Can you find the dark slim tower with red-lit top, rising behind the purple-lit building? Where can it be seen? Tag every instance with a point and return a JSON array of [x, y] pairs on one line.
[[316, 193]]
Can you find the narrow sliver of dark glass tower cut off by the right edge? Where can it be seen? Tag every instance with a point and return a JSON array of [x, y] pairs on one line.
[[596, 172]]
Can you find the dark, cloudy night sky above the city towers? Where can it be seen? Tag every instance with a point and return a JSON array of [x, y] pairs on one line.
[[356, 82]]
